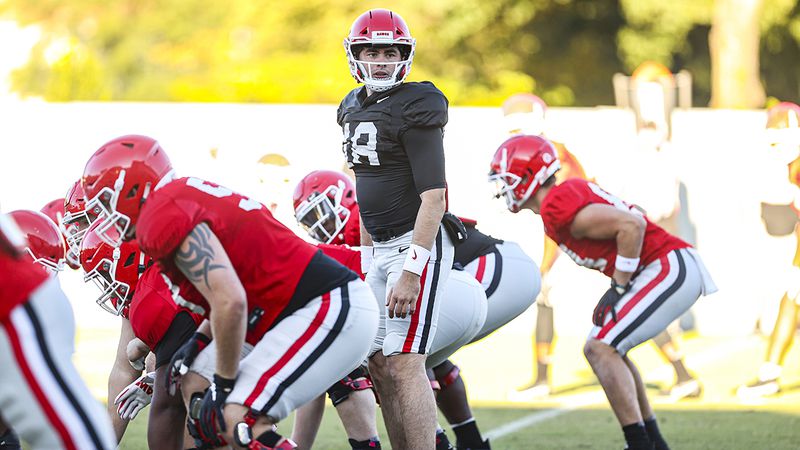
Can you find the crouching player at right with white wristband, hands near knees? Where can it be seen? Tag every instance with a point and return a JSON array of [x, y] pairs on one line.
[[655, 277]]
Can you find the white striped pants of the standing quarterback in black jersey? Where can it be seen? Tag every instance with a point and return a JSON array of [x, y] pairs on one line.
[[415, 332]]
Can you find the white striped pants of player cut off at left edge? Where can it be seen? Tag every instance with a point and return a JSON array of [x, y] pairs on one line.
[[42, 397]]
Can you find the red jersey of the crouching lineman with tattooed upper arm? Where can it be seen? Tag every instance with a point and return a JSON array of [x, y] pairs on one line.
[[268, 258]]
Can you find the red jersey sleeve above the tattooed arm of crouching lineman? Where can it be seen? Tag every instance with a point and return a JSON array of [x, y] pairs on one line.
[[163, 227]]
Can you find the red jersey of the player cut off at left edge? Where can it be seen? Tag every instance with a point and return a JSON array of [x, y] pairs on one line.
[[18, 279]]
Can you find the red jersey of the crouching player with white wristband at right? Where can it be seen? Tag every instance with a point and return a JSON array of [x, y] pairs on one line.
[[565, 200]]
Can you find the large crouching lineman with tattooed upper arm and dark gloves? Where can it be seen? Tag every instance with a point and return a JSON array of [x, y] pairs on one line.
[[310, 319]]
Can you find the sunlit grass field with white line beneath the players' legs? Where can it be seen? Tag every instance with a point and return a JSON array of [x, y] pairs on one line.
[[577, 416]]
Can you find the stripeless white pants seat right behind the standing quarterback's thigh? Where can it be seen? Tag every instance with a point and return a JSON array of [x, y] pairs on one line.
[[461, 316]]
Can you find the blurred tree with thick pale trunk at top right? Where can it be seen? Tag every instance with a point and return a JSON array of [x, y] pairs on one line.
[[679, 35]]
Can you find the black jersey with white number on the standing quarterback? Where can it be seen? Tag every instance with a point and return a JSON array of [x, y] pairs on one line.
[[393, 142]]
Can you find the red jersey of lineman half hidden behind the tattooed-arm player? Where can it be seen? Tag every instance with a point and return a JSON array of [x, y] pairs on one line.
[[153, 307]]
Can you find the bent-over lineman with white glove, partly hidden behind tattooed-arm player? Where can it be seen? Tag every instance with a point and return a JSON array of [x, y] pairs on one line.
[[152, 321]]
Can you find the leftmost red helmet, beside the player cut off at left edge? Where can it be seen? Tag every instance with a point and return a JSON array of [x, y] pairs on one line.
[[45, 243]]
